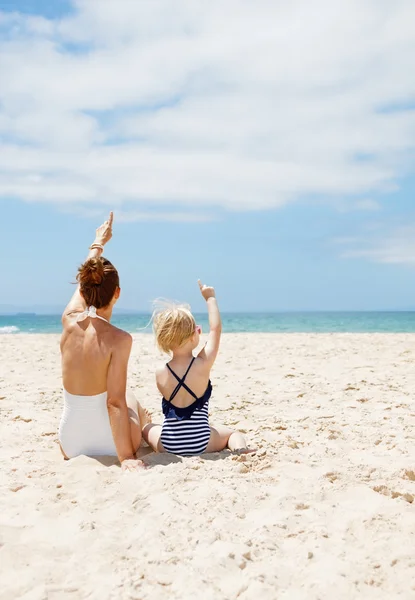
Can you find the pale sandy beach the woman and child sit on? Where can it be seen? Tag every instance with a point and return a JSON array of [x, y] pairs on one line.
[[325, 508]]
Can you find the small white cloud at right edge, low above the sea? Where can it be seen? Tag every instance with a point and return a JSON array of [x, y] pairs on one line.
[[395, 245]]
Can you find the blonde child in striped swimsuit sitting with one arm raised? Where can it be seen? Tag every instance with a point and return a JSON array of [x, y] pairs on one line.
[[185, 385]]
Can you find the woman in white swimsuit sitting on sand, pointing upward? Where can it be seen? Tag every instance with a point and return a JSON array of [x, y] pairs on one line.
[[98, 418]]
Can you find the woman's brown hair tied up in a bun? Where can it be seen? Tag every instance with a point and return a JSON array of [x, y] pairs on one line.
[[98, 280]]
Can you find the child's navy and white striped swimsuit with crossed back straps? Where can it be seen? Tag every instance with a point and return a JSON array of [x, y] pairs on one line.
[[185, 431]]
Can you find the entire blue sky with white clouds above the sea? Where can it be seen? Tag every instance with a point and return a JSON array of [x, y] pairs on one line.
[[267, 148]]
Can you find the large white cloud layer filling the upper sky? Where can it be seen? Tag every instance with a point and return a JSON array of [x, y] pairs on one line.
[[237, 105]]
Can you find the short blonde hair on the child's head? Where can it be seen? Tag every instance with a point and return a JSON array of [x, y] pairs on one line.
[[173, 325]]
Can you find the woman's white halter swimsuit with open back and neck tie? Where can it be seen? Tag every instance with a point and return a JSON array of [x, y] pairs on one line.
[[85, 426]]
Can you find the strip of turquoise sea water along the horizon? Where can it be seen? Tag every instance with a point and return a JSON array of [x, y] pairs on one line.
[[288, 322]]
